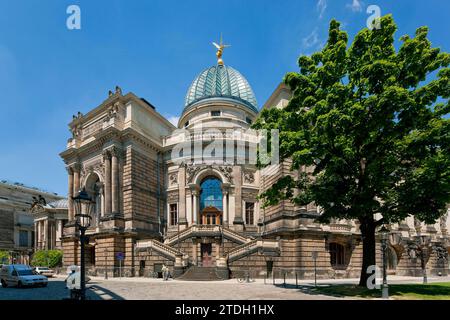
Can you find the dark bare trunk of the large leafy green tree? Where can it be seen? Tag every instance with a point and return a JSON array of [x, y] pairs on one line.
[[367, 228]]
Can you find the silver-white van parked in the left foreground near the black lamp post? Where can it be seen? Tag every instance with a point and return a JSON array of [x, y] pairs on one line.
[[21, 275]]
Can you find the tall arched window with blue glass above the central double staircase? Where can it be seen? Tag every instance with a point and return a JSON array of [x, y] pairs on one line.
[[211, 205]]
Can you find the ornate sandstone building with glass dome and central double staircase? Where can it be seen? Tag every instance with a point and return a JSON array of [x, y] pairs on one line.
[[201, 216]]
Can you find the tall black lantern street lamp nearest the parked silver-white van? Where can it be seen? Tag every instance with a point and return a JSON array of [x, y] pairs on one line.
[[84, 206]]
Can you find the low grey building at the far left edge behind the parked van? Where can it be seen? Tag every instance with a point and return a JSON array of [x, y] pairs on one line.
[[17, 234]]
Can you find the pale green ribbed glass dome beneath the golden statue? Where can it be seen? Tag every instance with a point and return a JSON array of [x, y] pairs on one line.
[[221, 82]]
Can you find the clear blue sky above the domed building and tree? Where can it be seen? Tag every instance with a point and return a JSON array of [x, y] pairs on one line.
[[154, 49]]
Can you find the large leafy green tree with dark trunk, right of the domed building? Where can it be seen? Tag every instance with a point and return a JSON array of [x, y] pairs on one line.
[[374, 125]]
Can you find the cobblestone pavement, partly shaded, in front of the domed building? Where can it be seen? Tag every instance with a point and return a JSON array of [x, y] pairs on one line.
[[156, 289]]
